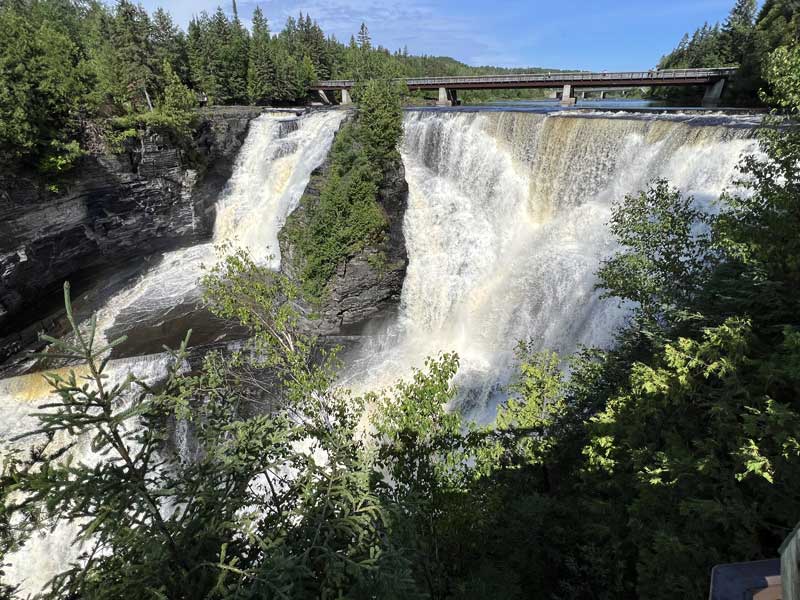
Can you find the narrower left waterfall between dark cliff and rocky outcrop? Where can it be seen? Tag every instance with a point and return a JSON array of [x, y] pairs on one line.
[[268, 180]]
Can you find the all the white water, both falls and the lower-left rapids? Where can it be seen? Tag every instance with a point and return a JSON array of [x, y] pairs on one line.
[[505, 229]]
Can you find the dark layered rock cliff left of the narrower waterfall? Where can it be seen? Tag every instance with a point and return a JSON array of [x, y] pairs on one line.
[[114, 208]]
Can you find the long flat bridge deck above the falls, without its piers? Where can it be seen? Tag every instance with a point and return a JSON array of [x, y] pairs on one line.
[[552, 80]]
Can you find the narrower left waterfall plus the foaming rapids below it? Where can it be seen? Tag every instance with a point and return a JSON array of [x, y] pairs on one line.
[[270, 175]]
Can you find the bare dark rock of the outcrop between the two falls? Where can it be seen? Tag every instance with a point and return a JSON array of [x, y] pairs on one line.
[[368, 284]]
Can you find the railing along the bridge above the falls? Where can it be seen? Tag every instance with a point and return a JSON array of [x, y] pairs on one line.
[[576, 77]]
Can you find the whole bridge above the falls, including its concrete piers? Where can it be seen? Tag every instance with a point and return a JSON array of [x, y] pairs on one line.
[[568, 83]]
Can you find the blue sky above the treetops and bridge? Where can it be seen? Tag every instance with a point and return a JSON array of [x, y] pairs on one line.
[[580, 34]]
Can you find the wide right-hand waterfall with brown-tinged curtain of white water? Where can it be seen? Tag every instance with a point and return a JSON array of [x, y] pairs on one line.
[[506, 227]]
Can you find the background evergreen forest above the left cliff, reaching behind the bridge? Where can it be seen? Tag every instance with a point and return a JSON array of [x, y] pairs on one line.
[[66, 64]]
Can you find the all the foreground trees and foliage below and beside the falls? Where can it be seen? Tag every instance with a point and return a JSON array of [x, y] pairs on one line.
[[630, 477]]
